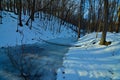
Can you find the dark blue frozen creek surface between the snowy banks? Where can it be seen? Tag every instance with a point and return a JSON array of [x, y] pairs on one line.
[[41, 61]]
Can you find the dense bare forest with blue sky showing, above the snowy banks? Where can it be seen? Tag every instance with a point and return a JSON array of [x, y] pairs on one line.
[[87, 15]]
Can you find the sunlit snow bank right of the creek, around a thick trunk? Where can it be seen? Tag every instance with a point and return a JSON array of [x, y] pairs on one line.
[[91, 61]]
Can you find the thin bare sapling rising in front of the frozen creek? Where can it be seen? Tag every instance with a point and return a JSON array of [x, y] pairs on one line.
[[21, 62]]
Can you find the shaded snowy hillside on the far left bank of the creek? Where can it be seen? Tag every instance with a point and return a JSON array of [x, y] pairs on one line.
[[41, 29]]
